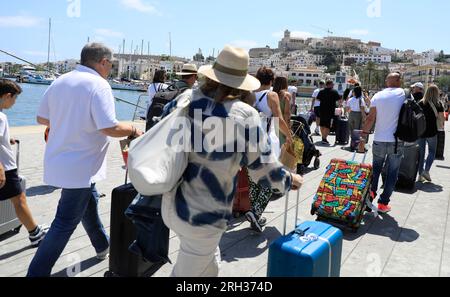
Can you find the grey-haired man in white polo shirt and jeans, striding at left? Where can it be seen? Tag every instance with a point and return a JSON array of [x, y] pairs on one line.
[[79, 108]]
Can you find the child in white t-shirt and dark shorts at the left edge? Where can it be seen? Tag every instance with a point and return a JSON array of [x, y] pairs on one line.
[[12, 189]]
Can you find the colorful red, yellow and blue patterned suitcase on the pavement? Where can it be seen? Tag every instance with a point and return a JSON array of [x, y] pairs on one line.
[[344, 193]]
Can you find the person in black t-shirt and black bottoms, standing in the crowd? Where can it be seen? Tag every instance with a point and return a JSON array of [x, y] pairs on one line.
[[328, 98]]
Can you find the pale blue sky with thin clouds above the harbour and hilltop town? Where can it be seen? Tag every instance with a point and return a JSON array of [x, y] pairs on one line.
[[211, 24]]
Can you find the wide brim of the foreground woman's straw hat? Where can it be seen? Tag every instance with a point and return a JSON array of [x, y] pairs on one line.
[[246, 83]]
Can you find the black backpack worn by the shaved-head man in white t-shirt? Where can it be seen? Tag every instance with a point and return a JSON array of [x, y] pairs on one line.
[[412, 123]]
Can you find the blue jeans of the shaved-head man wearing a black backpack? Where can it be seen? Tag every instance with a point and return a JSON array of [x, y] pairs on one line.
[[384, 155]]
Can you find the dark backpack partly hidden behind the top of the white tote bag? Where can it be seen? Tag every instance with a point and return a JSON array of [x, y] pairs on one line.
[[160, 100]]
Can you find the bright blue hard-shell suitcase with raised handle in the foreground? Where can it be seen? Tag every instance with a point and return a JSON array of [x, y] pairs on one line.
[[314, 249]]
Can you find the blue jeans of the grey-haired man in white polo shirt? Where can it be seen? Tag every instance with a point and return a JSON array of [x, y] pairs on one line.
[[75, 206]]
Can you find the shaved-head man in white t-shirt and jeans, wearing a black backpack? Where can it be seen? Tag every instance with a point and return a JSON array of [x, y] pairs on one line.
[[385, 109]]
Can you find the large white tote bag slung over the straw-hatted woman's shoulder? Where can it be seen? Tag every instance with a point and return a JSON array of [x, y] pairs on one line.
[[157, 160]]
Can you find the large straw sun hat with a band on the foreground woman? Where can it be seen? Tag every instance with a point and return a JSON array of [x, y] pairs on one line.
[[231, 69]]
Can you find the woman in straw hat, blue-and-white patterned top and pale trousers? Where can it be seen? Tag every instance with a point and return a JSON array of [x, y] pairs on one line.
[[199, 209]]
